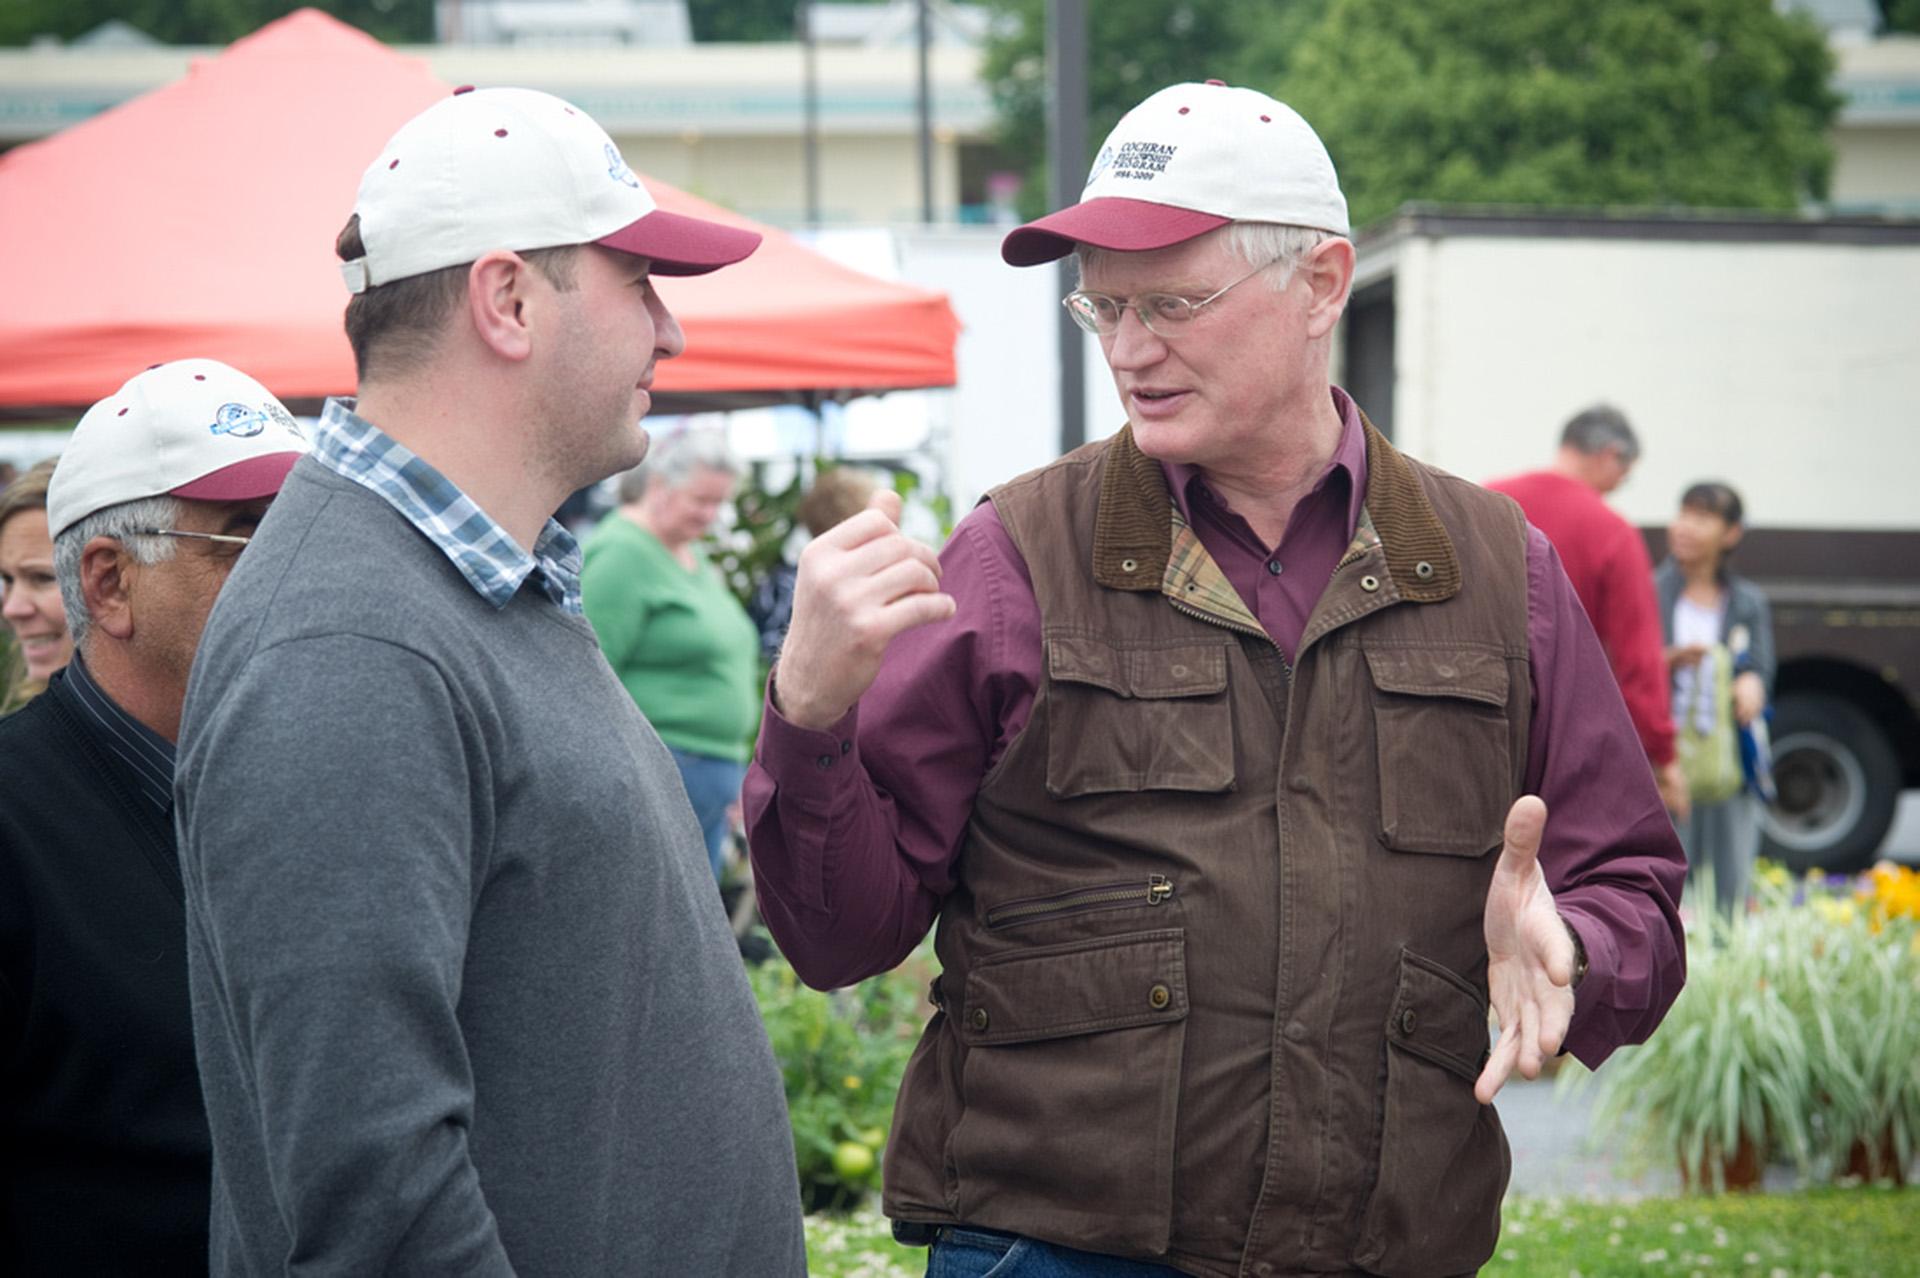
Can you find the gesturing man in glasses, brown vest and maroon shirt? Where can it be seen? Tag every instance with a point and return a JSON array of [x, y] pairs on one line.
[[1222, 751]]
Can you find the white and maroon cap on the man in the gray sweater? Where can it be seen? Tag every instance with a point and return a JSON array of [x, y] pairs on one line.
[[516, 170]]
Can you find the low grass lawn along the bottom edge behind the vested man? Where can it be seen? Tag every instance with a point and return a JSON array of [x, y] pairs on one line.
[[1856, 1233]]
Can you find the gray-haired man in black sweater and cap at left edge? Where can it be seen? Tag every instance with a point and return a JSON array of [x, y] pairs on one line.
[[105, 1158]]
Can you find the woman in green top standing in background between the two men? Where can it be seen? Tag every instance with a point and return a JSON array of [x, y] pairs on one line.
[[671, 628]]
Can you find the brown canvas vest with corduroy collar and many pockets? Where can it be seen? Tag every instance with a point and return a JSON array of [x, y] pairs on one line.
[[1214, 974]]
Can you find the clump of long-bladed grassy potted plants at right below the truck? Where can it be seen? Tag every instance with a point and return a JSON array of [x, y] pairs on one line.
[[1798, 1033]]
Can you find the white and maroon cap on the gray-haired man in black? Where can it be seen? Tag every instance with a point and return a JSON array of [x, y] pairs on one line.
[[187, 429]]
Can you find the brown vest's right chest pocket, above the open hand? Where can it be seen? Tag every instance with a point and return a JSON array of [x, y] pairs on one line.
[[1445, 749]]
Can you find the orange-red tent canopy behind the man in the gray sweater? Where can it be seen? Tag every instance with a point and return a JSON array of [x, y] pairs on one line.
[[199, 220]]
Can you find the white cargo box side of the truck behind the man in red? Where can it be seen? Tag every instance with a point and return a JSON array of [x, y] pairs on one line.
[[1748, 362]]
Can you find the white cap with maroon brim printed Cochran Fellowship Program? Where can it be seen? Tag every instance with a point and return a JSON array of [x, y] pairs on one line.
[[1188, 160]]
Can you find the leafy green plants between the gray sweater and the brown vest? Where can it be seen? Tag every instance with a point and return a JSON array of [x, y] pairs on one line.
[[842, 1058]]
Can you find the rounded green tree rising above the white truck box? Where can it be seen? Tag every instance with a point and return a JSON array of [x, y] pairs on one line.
[[1568, 103]]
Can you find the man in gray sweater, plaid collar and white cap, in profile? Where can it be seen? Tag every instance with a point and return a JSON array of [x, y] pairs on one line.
[[464, 995]]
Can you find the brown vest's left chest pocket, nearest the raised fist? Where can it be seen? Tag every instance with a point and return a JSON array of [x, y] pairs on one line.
[[1138, 719]]
